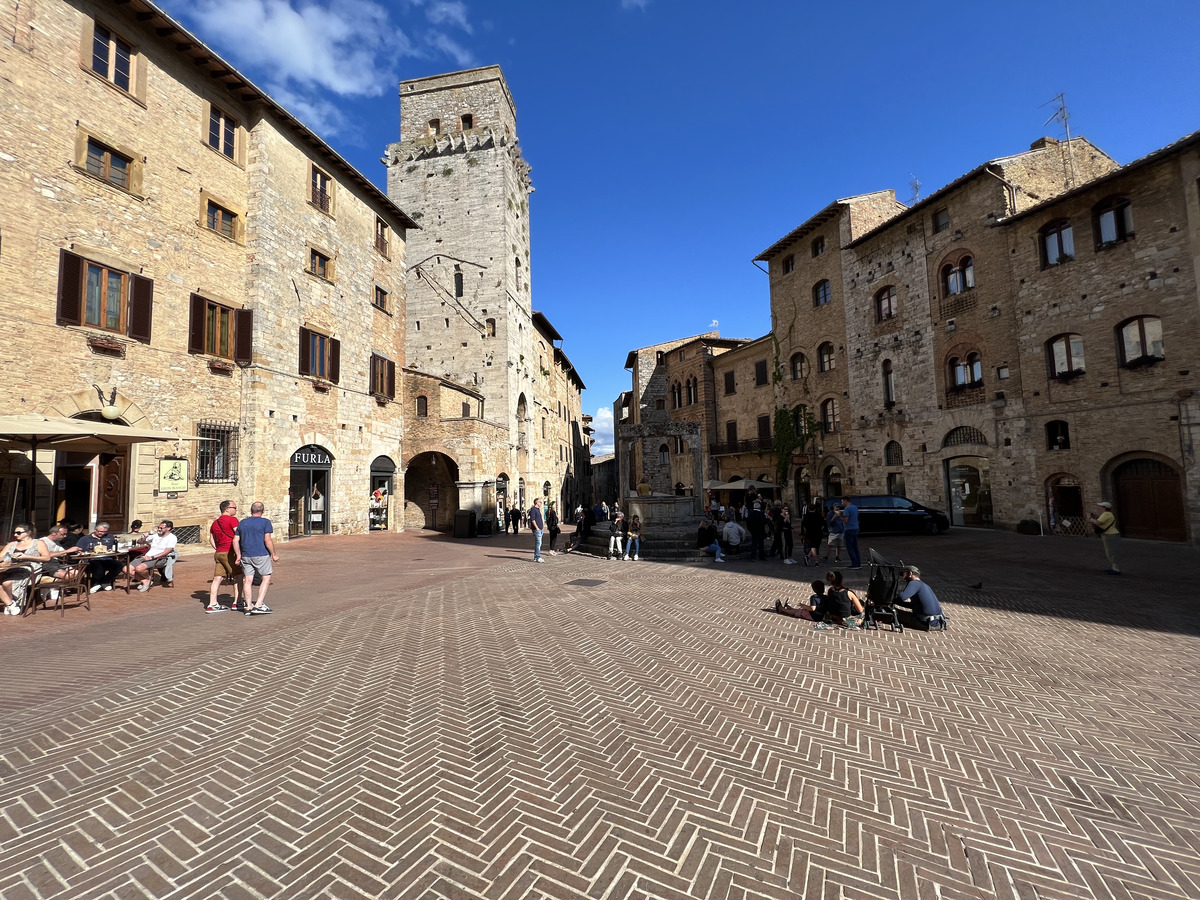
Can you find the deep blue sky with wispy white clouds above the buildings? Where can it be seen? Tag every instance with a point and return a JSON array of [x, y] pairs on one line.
[[673, 141]]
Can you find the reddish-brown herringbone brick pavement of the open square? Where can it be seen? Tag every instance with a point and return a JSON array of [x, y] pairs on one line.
[[453, 722]]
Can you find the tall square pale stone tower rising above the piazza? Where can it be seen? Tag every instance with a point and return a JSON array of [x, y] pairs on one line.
[[459, 167]]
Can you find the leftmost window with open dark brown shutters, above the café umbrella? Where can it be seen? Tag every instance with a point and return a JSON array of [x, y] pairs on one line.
[[105, 298]]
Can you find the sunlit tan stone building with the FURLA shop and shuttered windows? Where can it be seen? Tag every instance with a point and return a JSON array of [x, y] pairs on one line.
[[177, 243]]
